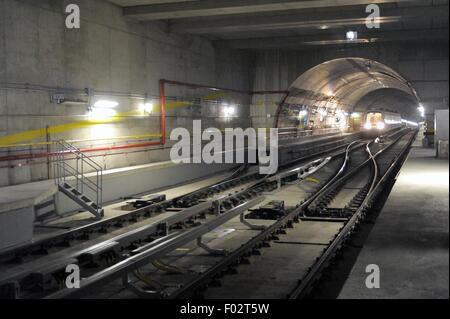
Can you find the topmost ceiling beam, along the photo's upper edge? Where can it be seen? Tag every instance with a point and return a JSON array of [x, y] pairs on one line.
[[225, 7]]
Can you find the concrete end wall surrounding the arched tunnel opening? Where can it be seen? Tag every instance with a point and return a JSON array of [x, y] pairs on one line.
[[425, 65]]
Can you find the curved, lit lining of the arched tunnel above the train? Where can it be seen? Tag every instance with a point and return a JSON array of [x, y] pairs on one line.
[[348, 85]]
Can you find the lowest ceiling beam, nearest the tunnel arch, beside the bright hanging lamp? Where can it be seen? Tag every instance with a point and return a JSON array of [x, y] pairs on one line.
[[333, 39]]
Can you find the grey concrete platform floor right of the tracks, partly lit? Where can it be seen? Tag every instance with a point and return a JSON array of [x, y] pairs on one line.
[[409, 241]]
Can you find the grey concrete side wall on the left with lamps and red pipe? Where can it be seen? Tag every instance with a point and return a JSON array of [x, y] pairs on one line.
[[122, 59]]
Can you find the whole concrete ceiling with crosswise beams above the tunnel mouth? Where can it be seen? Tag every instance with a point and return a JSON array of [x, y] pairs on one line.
[[259, 24]]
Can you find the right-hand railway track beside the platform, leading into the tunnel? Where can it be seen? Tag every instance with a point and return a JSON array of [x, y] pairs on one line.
[[286, 231]]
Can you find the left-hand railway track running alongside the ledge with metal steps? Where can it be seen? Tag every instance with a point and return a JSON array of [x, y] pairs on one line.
[[34, 270]]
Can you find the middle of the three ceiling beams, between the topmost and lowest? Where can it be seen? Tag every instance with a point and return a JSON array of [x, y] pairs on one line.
[[323, 19]]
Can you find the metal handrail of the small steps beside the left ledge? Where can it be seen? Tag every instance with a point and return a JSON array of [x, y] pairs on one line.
[[71, 167]]
